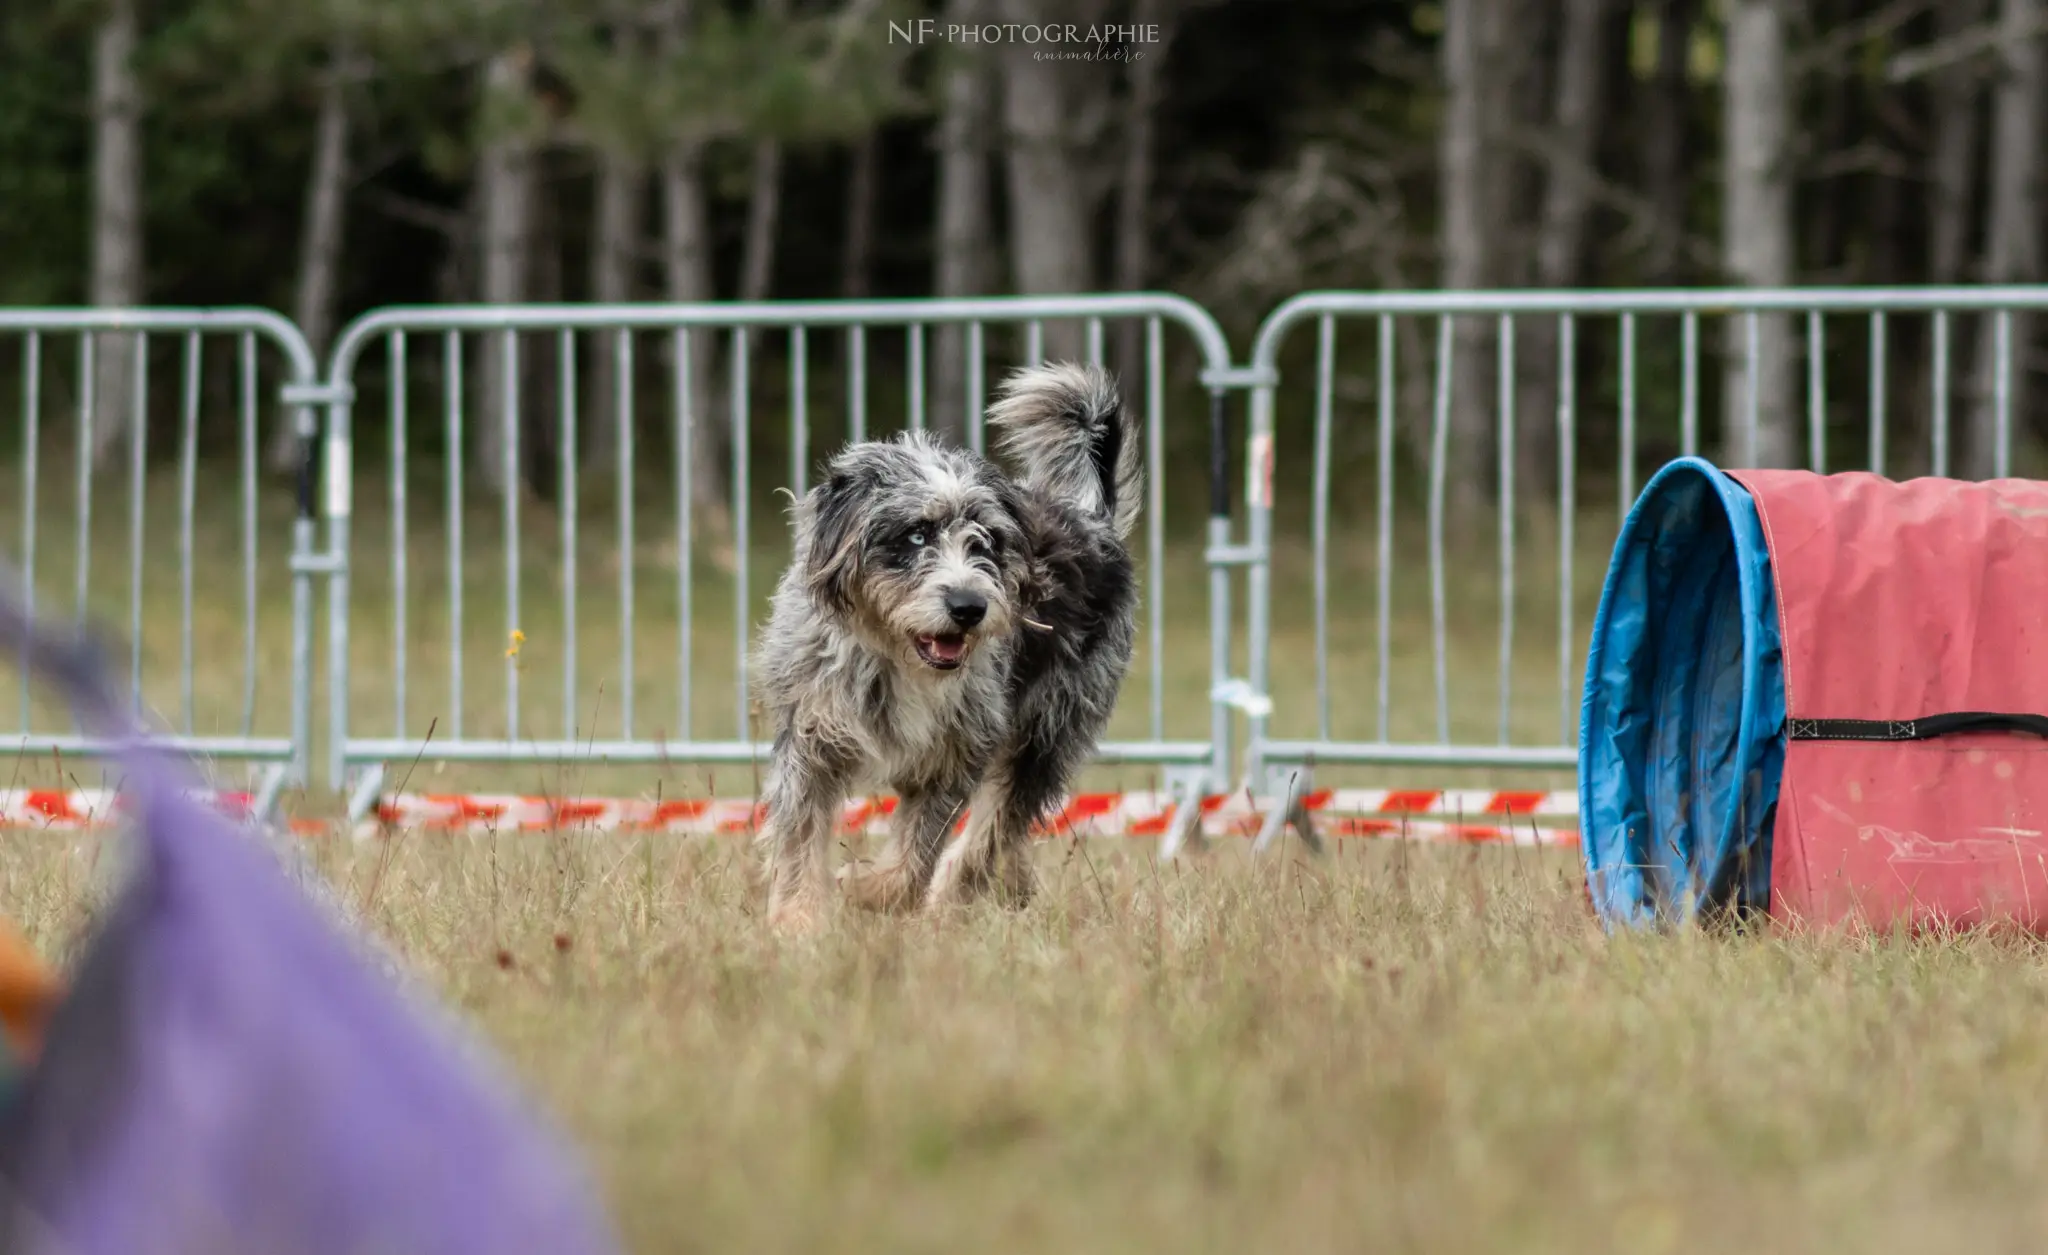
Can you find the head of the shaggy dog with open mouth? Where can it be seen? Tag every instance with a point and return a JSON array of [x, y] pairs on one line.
[[919, 546]]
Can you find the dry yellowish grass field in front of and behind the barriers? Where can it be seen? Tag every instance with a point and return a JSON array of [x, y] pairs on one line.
[[1394, 1049]]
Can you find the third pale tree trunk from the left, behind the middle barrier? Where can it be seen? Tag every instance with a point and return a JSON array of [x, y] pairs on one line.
[[507, 193]]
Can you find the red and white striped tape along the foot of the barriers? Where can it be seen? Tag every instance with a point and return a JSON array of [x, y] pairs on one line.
[[1428, 816]]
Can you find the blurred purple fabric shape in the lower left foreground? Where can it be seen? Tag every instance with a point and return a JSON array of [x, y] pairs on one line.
[[234, 1076]]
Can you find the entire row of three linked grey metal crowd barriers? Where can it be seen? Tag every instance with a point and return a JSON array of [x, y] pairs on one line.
[[1893, 380]]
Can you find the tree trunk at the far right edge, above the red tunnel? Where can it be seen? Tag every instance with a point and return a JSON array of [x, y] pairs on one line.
[[2012, 232]]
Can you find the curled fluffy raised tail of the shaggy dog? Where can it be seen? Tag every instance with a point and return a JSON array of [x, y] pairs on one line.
[[1074, 439]]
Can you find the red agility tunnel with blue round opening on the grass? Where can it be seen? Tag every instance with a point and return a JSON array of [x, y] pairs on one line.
[[1822, 697]]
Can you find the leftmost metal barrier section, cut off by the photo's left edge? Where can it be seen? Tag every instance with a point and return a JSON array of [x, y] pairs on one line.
[[216, 711]]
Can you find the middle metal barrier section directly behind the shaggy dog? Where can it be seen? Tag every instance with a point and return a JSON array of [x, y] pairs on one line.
[[613, 337]]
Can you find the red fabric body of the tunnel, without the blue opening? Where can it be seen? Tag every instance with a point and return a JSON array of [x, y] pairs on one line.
[[1902, 601]]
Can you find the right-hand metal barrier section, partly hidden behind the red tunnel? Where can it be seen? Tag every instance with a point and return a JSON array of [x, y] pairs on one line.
[[1476, 335]]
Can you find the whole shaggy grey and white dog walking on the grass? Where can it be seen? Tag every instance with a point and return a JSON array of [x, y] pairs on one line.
[[957, 636]]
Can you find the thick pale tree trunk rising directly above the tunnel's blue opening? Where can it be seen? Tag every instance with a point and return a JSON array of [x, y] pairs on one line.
[[1758, 232]]
